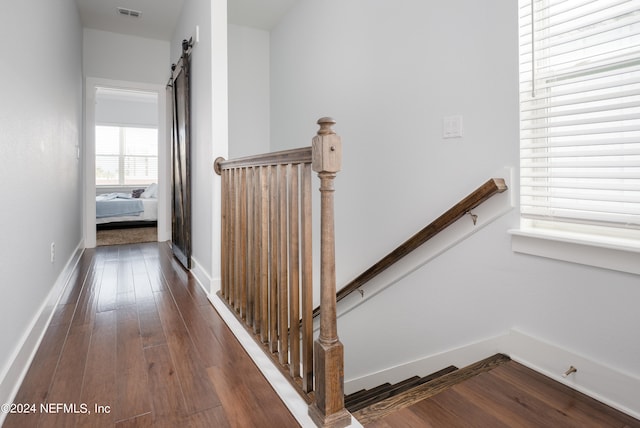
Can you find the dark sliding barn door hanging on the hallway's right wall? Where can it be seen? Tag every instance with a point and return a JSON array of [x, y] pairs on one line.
[[181, 175]]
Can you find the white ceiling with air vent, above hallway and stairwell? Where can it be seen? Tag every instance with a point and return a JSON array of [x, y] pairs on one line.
[[159, 17]]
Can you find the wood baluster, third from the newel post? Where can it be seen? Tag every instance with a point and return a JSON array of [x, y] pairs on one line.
[[283, 278]]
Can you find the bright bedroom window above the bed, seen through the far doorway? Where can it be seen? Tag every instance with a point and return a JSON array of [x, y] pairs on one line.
[[126, 156]]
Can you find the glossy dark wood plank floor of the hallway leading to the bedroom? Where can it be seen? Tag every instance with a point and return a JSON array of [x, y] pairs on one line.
[[134, 342]]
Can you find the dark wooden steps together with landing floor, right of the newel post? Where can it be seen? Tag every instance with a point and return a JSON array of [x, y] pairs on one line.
[[495, 392]]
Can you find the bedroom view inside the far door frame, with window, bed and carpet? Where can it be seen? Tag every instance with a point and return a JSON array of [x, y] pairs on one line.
[[126, 165]]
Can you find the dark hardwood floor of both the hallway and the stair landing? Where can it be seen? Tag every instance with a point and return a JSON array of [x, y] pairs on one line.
[[134, 342]]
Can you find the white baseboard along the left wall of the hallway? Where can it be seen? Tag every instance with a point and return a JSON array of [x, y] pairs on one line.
[[15, 372]]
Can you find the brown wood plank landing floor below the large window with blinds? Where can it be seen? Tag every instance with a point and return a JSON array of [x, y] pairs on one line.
[[507, 396]]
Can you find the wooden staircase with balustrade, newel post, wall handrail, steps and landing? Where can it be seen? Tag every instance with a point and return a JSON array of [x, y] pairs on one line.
[[267, 265]]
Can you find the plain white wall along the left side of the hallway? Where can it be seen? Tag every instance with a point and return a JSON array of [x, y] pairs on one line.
[[41, 123]]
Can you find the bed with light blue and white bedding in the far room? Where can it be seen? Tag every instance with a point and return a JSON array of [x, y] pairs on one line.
[[118, 209]]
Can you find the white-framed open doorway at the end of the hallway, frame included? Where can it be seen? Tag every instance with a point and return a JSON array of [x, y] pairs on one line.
[[122, 121]]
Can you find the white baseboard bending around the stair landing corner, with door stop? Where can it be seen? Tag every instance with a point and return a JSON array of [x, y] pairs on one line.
[[604, 383]]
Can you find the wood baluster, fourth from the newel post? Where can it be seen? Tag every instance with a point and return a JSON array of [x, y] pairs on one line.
[[273, 266]]
